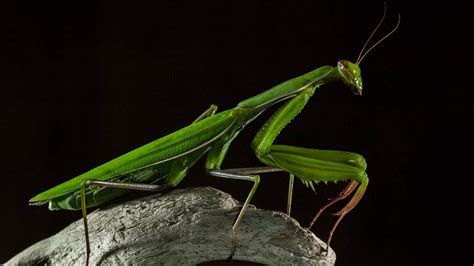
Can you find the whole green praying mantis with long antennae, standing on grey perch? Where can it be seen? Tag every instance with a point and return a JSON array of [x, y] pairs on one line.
[[163, 163]]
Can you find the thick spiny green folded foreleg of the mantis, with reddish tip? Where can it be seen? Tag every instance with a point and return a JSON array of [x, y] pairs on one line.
[[310, 165]]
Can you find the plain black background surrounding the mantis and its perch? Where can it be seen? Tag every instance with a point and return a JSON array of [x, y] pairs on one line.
[[83, 83]]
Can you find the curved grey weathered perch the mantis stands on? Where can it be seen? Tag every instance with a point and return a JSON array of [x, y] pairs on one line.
[[182, 227]]
